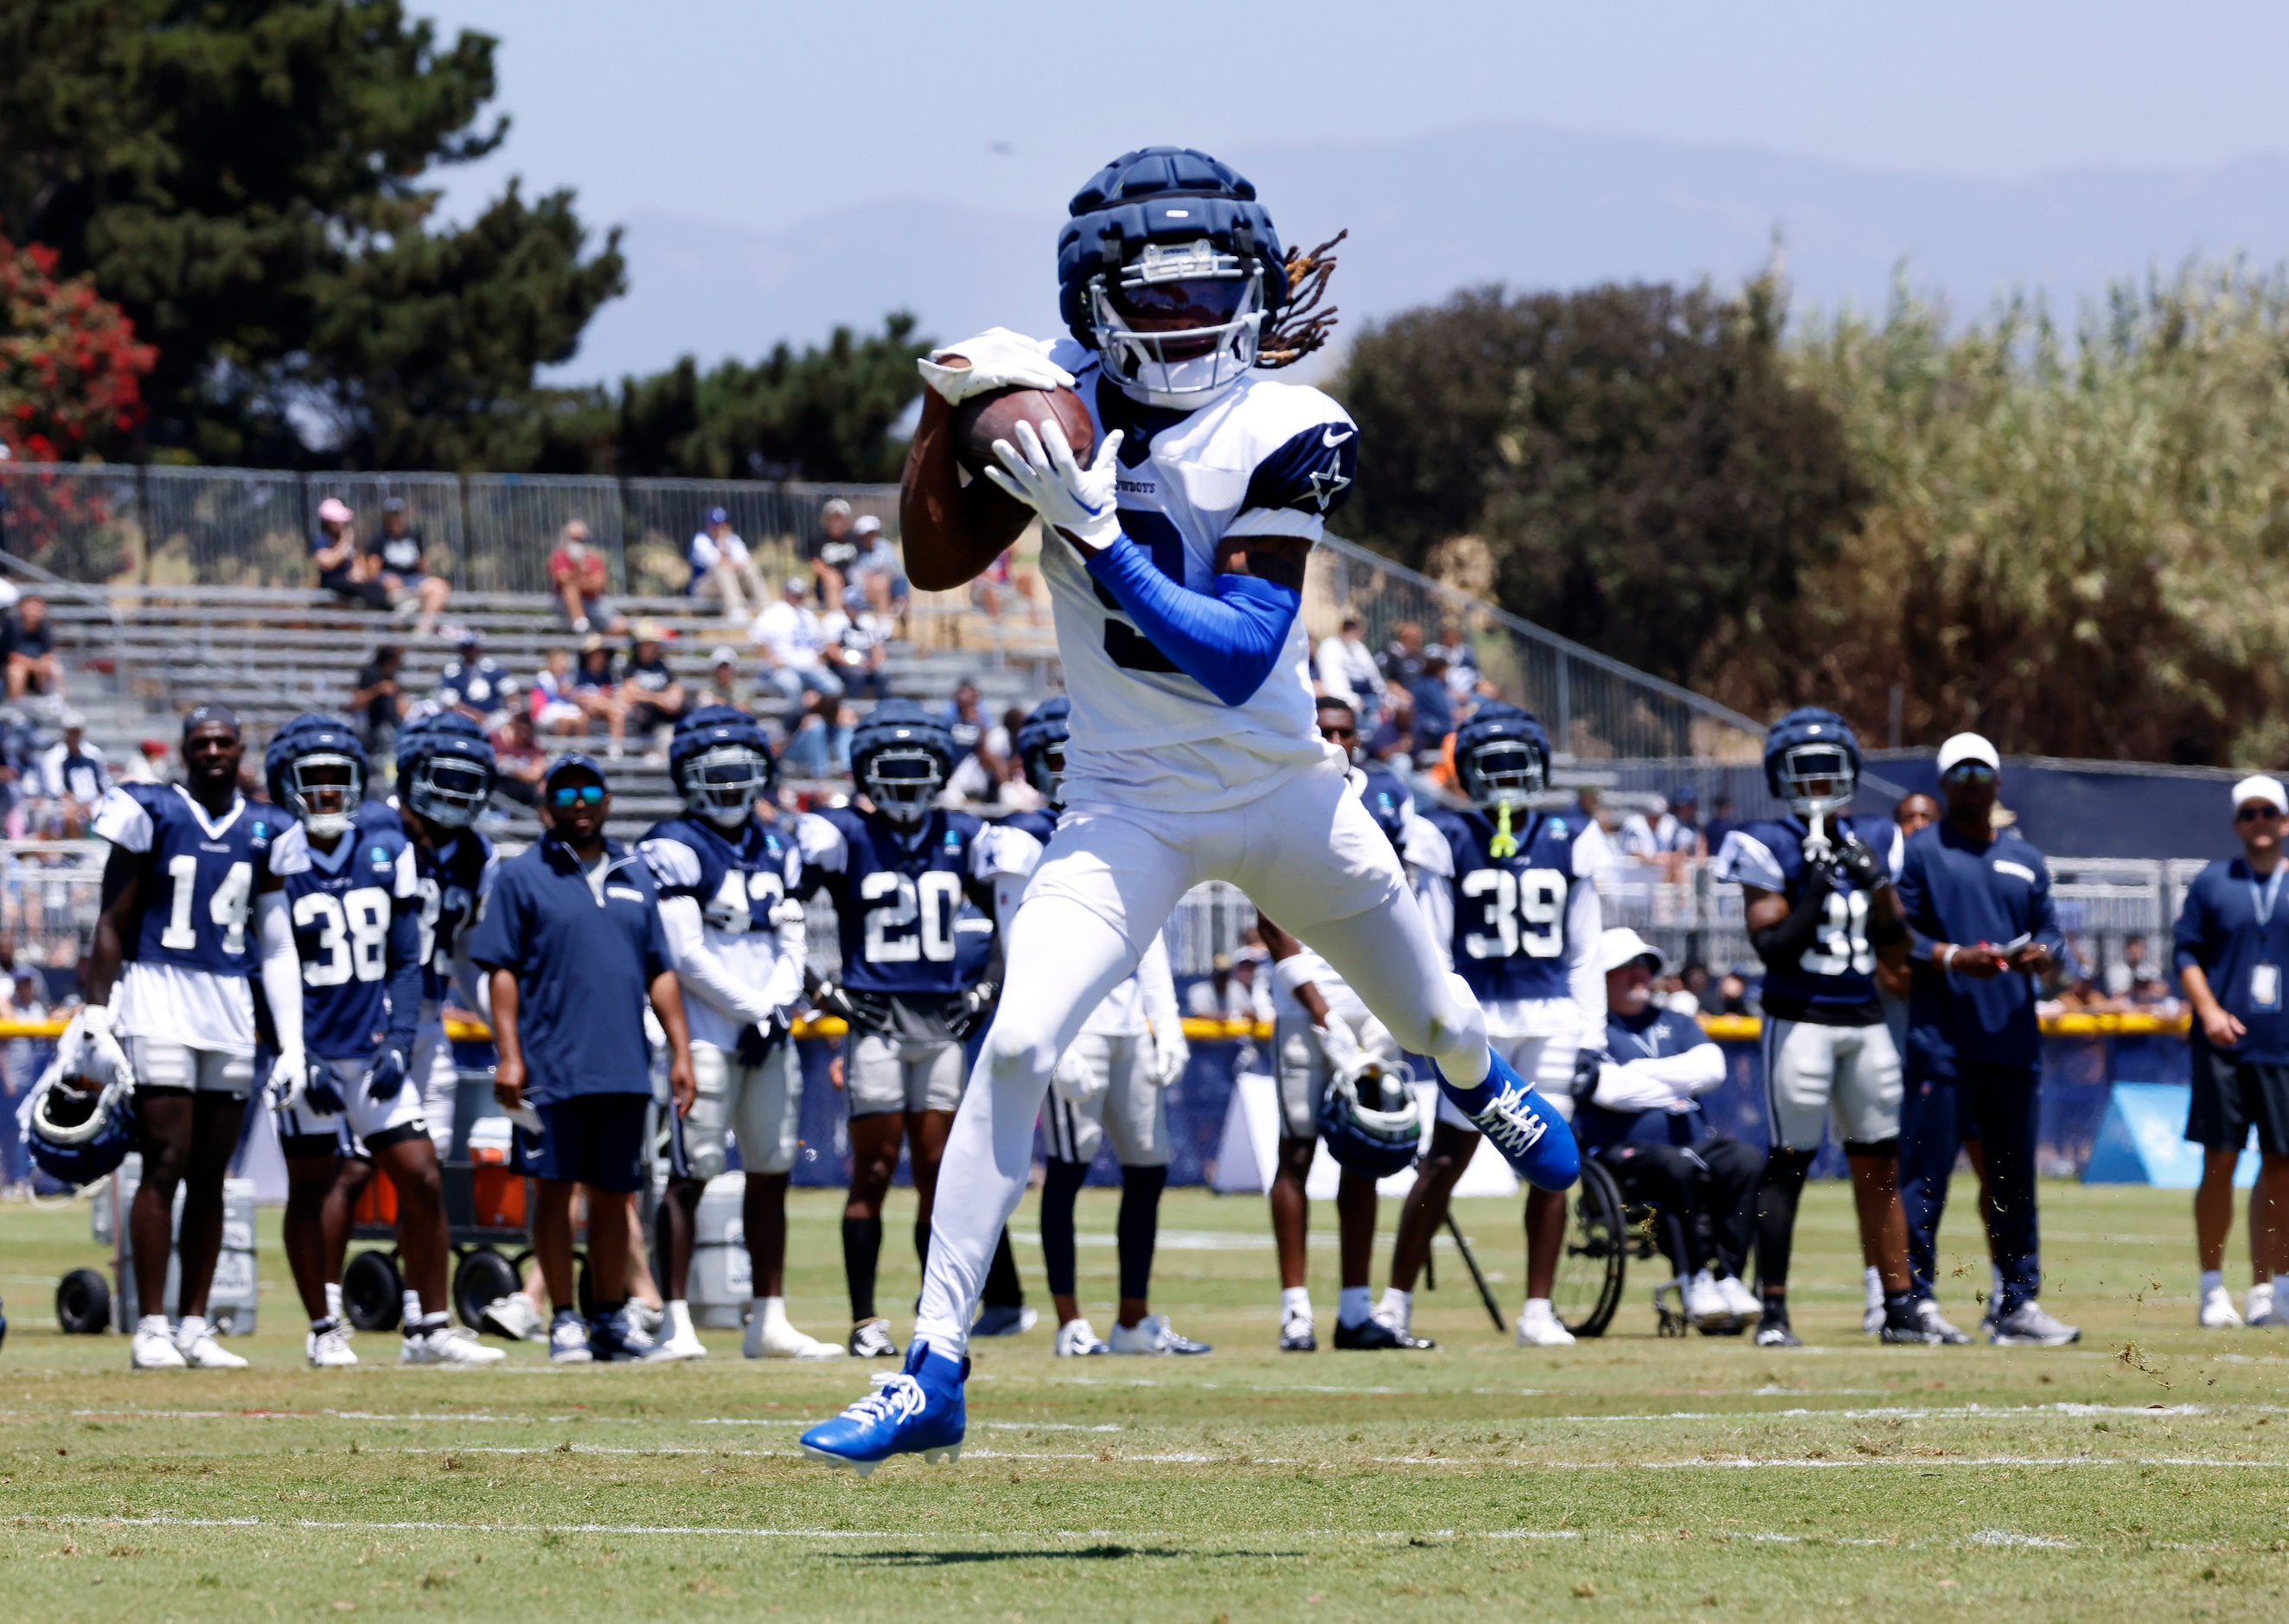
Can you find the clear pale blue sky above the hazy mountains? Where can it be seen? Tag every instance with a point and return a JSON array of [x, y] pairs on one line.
[[763, 116]]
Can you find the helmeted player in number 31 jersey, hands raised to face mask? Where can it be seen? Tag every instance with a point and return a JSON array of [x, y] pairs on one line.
[[1819, 899]]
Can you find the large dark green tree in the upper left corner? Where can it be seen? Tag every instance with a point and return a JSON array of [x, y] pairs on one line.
[[248, 180]]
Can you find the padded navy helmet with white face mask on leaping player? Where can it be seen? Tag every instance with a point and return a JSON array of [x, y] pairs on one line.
[[1169, 269]]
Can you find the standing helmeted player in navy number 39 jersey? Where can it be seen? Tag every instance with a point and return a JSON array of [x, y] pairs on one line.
[[1514, 901]]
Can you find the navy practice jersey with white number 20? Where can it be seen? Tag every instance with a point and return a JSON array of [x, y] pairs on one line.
[[898, 897]]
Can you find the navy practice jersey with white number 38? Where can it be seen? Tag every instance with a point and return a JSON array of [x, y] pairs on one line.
[[342, 906]]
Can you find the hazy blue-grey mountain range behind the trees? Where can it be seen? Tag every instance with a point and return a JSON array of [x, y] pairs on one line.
[[1427, 216]]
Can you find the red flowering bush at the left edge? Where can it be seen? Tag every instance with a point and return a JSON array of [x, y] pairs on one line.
[[70, 363]]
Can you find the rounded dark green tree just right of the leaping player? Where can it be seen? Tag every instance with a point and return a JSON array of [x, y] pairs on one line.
[[1638, 462]]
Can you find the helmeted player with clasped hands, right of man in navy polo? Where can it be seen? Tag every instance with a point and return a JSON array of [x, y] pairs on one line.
[[724, 883]]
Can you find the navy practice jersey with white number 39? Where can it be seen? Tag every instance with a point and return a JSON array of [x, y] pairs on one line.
[[1510, 913]]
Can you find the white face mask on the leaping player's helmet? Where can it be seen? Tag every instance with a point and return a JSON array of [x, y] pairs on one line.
[[1180, 324]]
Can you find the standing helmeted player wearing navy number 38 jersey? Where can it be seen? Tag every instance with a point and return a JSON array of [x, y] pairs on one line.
[[356, 908]]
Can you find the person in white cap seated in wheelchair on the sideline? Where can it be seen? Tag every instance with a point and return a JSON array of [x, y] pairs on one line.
[[1645, 1124]]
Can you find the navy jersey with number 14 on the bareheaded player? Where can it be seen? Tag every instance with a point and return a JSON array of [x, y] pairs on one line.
[[198, 881]]
